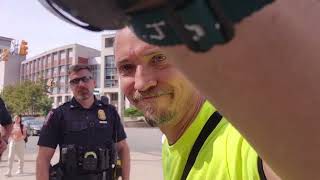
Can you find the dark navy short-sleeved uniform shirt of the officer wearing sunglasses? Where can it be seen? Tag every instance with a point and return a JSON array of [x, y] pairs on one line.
[[72, 124]]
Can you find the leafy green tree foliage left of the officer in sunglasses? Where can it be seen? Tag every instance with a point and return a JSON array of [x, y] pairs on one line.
[[27, 98]]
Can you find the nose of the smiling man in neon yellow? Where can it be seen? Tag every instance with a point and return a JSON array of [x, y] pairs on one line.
[[144, 78]]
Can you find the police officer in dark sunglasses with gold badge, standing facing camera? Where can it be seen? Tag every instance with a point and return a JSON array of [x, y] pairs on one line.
[[89, 134]]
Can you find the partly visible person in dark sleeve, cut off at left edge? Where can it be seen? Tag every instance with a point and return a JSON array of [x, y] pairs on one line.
[[6, 123]]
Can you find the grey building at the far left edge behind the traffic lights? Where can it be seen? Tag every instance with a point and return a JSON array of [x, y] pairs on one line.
[[9, 70]]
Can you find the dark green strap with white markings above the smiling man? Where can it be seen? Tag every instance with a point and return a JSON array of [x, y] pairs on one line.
[[200, 24]]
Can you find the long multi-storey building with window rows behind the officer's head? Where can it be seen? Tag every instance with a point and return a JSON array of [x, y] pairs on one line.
[[53, 65]]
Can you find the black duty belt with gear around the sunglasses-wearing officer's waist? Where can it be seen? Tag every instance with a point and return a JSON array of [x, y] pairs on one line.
[[78, 162]]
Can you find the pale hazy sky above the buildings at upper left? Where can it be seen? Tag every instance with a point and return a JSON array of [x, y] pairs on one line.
[[28, 20]]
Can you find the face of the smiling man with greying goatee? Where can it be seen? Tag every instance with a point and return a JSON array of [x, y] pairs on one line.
[[150, 81]]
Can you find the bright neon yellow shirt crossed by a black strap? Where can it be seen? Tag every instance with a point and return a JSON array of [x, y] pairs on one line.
[[225, 155]]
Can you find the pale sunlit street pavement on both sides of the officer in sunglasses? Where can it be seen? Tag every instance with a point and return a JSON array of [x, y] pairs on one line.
[[145, 147]]
